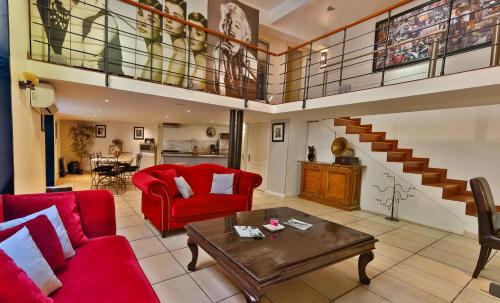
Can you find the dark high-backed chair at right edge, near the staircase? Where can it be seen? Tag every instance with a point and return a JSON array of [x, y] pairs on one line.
[[487, 218]]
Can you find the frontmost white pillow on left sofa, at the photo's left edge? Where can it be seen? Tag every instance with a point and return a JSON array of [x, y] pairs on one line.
[[21, 248]]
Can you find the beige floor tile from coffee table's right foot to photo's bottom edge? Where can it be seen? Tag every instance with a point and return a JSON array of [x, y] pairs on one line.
[[397, 291]]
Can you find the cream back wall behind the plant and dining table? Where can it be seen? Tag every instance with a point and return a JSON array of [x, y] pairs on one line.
[[114, 130]]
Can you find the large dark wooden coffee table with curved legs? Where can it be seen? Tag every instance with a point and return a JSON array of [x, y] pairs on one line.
[[256, 264]]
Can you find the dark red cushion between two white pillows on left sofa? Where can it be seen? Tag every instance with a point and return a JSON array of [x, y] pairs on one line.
[[45, 237]]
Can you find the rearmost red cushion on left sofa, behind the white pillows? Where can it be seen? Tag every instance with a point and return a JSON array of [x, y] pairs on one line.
[[22, 205]]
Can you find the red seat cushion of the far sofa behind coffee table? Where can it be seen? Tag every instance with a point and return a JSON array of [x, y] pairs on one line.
[[203, 204]]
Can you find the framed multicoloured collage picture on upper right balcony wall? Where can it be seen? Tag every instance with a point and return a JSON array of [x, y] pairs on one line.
[[469, 29]]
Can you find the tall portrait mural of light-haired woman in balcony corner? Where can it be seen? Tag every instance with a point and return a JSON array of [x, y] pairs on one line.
[[231, 66]]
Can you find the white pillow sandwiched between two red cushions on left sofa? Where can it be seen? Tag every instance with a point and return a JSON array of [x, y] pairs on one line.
[[54, 218]]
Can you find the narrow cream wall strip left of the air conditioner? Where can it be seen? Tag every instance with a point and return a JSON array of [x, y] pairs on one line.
[[29, 144]]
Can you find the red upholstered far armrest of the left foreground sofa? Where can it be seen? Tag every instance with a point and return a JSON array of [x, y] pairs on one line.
[[97, 212]]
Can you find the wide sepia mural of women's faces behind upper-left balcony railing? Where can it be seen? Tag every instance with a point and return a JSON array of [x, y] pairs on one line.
[[141, 44]]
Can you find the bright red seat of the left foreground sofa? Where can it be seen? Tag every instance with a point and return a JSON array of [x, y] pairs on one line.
[[104, 270]]
